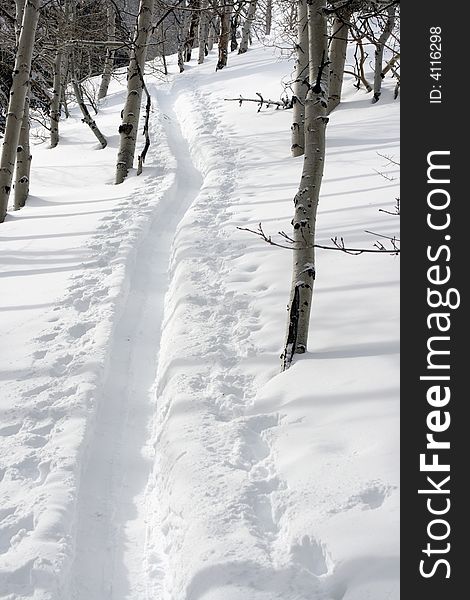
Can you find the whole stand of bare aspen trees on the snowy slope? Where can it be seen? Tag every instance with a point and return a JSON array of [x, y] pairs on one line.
[[50, 49]]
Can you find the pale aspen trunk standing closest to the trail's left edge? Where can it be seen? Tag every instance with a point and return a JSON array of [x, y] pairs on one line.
[[131, 112]]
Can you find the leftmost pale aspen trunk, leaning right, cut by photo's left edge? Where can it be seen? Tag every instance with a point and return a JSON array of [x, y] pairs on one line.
[[18, 91]]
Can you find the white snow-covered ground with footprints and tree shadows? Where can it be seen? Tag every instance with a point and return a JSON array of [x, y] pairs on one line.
[[150, 448]]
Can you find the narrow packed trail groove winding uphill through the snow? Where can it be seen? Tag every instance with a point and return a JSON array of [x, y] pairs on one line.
[[111, 525]]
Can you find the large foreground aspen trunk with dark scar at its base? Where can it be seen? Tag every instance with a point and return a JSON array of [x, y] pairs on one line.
[[306, 199]]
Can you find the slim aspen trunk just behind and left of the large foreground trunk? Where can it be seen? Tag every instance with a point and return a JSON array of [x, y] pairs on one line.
[[301, 81]]
